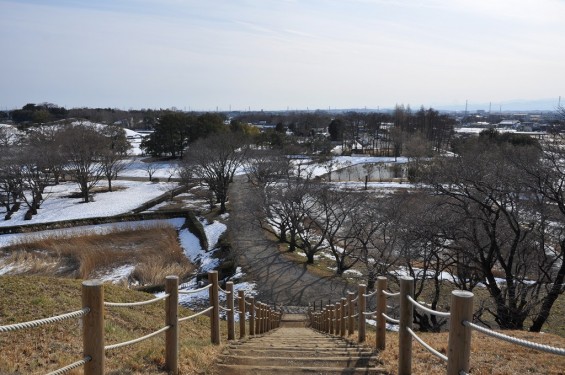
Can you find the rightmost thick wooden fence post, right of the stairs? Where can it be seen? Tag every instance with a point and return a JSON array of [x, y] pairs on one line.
[[459, 347]]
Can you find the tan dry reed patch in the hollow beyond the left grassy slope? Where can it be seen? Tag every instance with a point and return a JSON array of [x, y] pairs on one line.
[[154, 251]]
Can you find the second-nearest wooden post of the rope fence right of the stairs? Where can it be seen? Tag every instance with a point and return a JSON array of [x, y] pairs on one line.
[[406, 318]]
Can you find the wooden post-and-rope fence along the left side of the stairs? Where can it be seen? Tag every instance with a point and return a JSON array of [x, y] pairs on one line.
[[260, 316]]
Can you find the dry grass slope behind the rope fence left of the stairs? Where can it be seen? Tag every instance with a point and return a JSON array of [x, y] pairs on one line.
[[46, 348]]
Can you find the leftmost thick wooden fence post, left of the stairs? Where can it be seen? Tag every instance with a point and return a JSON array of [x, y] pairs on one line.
[[93, 326]]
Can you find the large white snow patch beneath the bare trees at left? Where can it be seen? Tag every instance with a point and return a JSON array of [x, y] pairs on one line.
[[57, 206]]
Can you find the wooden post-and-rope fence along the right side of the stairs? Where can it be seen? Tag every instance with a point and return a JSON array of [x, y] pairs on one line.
[[340, 319]]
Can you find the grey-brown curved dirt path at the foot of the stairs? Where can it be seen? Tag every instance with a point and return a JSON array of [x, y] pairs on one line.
[[278, 280]]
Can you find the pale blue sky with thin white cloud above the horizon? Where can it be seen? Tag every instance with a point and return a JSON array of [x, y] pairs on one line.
[[281, 54]]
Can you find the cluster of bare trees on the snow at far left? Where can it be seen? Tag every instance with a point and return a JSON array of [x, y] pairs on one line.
[[33, 160]]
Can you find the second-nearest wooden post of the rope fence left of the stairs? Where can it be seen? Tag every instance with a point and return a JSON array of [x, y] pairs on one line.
[[171, 320]]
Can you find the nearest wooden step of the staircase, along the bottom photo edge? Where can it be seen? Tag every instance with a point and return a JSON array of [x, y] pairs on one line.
[[289, 370]]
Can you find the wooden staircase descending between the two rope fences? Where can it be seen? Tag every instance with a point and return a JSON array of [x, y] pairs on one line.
[[295, 349]]
